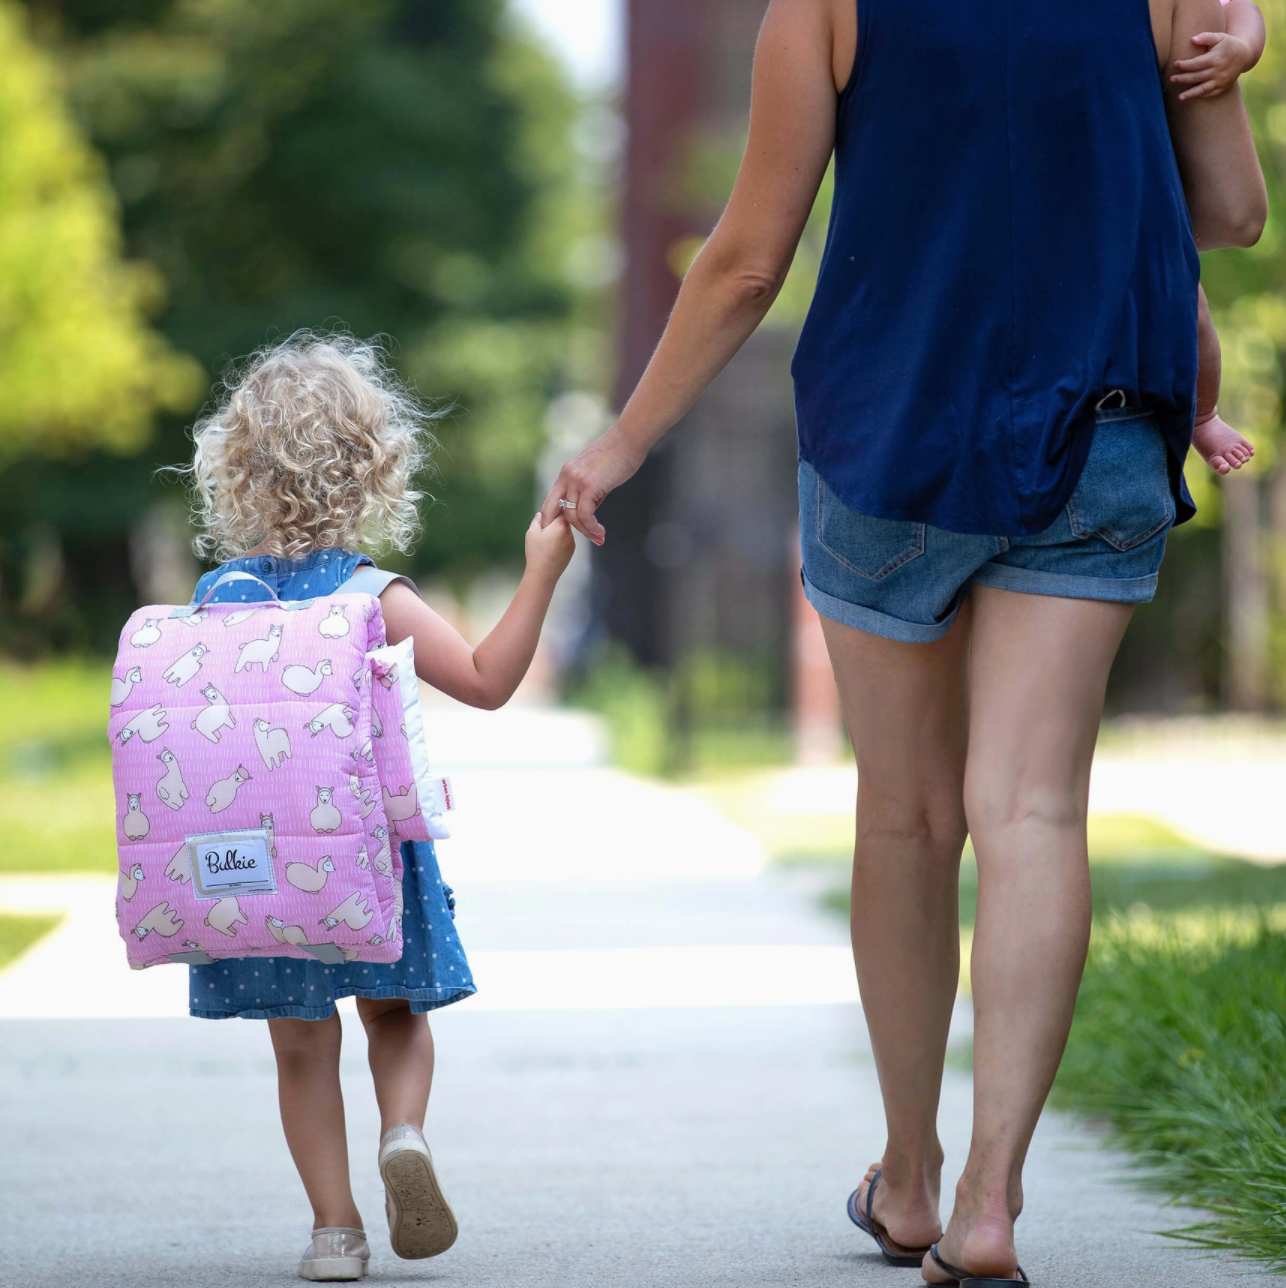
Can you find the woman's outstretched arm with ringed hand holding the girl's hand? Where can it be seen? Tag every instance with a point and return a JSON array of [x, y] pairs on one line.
[[735, 280]]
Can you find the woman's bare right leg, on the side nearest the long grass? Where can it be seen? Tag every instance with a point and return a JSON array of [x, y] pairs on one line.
[[1038, 676]]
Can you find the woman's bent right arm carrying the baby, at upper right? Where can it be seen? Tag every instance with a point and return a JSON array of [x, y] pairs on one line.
[[1221, 173]]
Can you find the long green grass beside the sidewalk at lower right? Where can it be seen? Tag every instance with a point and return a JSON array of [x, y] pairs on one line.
[[1180, 1045]]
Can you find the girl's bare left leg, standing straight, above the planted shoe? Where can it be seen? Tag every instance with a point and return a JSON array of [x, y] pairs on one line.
[[312, 1113]]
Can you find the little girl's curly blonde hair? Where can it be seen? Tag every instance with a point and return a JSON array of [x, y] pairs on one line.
[[314, 444]]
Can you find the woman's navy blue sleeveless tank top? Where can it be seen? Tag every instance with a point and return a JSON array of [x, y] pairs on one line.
[[1010, 240]]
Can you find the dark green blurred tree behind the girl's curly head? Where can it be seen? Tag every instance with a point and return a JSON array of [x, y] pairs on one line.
[[383, 166]]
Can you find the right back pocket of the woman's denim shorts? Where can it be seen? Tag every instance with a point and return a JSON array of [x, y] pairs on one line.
[[1124, 494]]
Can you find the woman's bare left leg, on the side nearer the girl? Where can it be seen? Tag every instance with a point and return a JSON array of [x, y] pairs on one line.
[[907, 710]]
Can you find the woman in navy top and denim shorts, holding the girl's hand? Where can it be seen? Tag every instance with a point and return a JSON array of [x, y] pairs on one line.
[[995, 395]]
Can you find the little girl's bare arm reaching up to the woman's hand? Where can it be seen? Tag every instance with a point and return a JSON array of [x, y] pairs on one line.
[[488, 676]]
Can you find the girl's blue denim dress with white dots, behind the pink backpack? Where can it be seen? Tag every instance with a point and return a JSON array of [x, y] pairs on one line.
[[432, 972]]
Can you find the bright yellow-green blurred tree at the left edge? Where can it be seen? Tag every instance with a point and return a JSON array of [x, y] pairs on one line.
[[79, 366]]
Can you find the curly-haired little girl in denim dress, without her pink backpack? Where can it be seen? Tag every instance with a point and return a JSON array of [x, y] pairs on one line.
[[311, 451]]
